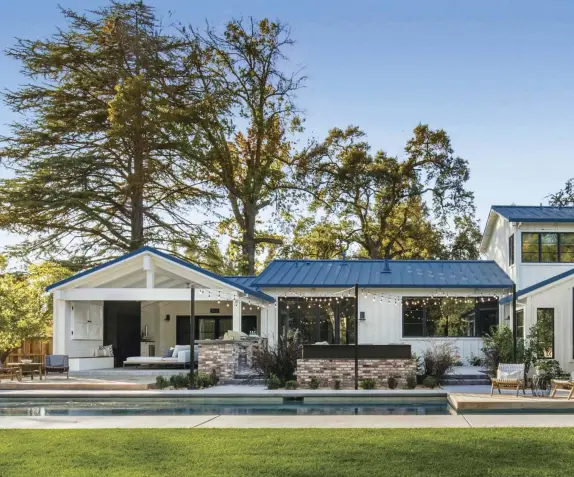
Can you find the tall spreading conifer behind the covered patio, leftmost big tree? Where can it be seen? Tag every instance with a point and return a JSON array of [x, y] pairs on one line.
[[97, 171]]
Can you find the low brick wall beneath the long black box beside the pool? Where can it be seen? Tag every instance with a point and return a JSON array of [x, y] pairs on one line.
[[327, 371]]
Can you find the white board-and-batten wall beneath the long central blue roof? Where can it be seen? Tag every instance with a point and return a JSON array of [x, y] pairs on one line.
[[383, 322]]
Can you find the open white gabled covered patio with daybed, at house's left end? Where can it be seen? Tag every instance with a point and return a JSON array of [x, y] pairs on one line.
[[140, 304]]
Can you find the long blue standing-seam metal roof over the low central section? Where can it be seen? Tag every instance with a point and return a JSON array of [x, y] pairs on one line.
[[371, 273]]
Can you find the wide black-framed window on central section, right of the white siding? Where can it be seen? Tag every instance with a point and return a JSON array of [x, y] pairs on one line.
[[452, 317]]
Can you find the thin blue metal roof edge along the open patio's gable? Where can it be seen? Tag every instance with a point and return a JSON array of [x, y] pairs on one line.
[[242, 287]]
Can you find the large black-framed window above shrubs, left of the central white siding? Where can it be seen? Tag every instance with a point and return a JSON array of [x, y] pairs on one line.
[[318, 319]]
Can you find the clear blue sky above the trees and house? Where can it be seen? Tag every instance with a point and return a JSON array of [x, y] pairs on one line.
[[498, 76]]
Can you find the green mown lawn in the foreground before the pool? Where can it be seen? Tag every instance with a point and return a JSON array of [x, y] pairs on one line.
[[287, 452]]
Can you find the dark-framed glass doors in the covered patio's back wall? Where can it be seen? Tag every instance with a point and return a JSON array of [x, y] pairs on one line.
[[211, 327]]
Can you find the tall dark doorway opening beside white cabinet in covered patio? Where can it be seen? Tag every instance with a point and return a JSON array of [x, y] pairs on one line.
[[122, 329]]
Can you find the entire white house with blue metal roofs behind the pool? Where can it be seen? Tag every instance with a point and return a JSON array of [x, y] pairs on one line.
[[140, 303]]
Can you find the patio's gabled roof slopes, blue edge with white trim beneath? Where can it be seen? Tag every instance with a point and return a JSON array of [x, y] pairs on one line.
[[109, 266]]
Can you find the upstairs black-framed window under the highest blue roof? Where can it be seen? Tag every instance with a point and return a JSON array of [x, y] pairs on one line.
[[549, 247]]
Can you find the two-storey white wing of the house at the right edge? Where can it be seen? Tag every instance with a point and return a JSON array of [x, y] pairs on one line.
[[535, 247]]
